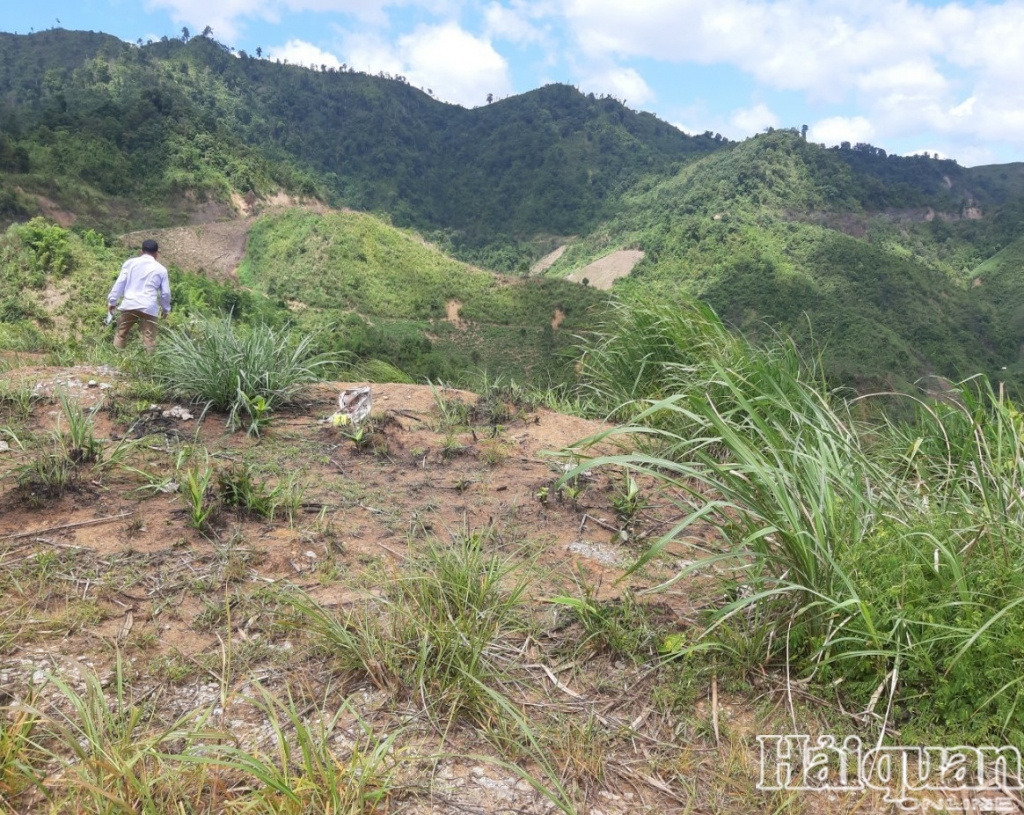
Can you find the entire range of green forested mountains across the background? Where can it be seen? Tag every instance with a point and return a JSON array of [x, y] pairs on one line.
[[894, 267]]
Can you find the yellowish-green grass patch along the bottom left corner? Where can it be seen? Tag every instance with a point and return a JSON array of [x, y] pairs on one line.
[[109, 753]]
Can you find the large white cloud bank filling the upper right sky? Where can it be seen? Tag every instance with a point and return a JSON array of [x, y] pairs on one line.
[[908, 66]]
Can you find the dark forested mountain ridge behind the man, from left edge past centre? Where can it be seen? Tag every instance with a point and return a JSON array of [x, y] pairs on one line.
[[91, 116]]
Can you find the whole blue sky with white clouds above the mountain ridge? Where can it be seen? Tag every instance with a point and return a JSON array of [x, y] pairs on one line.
[[908, 77]]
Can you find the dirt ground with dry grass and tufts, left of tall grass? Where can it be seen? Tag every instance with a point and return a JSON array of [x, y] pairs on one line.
[[149, 662]]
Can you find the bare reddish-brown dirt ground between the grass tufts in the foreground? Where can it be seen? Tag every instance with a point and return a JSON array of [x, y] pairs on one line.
[[115, 568]]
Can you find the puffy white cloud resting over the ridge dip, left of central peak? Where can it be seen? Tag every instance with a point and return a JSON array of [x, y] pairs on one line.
[[457, 66]]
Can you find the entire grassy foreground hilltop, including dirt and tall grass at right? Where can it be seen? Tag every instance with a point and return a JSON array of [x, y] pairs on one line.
[[795, 562]]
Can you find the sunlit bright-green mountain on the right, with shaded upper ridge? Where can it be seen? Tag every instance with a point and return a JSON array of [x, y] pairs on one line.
[[872, 256]]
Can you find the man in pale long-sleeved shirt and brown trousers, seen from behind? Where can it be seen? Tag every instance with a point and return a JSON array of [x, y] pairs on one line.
[[144, 286]]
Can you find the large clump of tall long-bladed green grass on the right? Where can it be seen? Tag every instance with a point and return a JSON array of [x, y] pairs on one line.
[[886, 559]]
